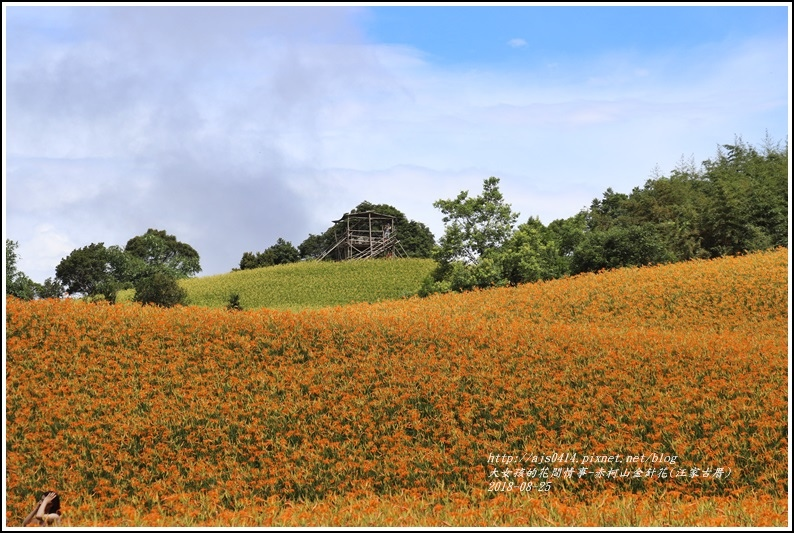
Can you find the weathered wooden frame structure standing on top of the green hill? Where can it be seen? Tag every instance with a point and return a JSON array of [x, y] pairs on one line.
[[365, 235]]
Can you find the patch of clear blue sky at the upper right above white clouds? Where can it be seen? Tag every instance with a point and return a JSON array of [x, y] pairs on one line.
[[476, 34]]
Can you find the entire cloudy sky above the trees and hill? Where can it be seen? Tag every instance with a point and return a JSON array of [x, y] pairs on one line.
[[230, 127]]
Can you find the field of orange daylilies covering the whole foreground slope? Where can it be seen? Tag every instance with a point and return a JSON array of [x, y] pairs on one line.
[[640, 396]]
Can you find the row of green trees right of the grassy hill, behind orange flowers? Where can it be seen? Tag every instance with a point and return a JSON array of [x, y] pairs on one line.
[[736, 202]]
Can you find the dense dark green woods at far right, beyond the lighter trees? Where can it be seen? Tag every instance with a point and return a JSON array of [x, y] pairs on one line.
[[737, 202]]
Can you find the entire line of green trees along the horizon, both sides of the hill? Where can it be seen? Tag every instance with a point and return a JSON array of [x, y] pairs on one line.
[[734, 203]]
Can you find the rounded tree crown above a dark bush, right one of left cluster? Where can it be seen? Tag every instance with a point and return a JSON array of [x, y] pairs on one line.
[[164, 252]]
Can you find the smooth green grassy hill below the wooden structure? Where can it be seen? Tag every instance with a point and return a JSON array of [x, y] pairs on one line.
[[309, 284]]
